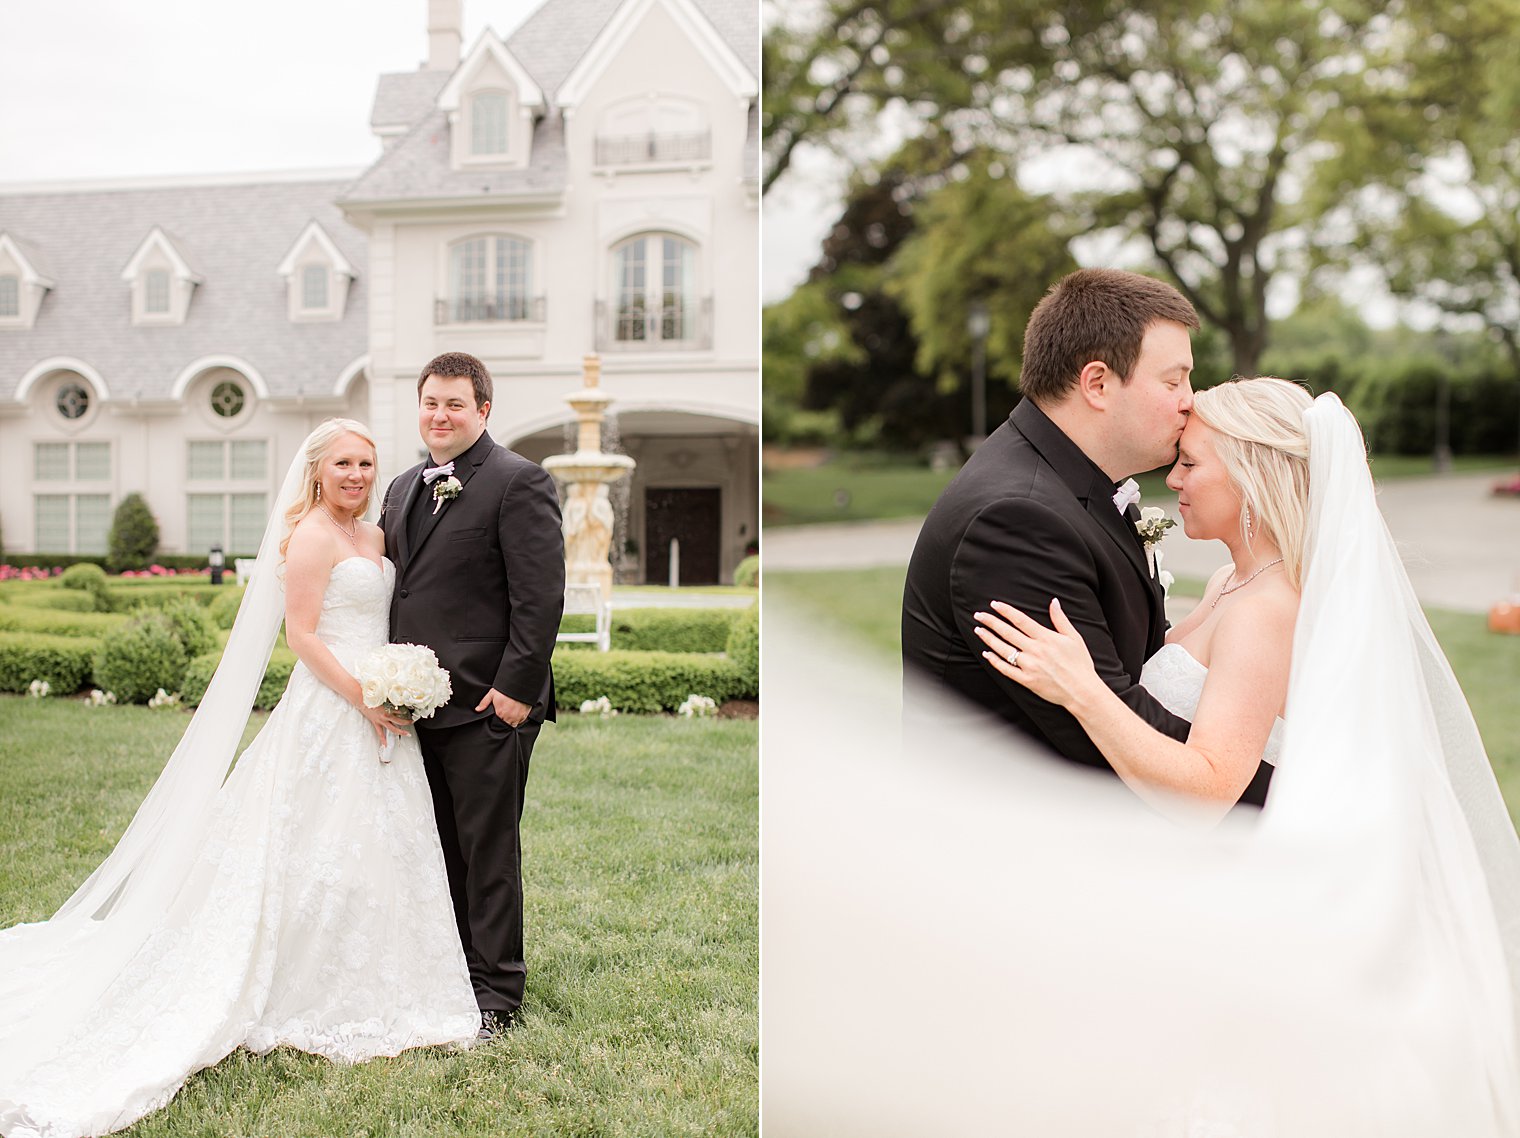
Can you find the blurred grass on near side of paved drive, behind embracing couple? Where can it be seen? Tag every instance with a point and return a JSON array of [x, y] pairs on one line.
[[866, 605]]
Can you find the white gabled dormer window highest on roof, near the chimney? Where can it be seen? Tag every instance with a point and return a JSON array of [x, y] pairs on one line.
[[492, 103]]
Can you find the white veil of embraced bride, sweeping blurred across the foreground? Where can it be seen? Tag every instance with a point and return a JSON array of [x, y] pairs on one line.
[[983, 941]]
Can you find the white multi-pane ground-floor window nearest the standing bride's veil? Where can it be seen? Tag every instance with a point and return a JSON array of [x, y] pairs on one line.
[[227, 505]]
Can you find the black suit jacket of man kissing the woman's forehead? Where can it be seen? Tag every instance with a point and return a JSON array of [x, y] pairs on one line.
[[1028, 519]]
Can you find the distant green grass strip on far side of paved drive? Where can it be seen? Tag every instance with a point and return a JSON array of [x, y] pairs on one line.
[[879, 487]]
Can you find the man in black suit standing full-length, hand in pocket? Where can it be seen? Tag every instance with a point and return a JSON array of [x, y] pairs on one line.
[[480, 557]]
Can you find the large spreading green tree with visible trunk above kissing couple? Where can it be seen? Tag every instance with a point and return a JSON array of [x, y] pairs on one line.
[[1211, 131]]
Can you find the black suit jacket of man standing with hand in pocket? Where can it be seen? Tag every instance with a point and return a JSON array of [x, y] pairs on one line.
[[484, 583]]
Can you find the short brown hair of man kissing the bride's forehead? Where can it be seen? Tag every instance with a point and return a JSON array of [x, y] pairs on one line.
[[1094, 315]]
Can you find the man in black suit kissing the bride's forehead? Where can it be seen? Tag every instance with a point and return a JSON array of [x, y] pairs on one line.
[[1047, 510]]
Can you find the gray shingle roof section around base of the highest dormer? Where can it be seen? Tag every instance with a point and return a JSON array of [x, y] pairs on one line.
[[419, 166]]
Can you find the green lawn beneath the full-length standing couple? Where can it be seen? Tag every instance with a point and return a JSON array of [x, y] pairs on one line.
[[642, 894]]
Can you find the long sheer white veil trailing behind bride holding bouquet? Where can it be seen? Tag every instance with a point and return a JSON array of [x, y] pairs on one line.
[[52, 973]]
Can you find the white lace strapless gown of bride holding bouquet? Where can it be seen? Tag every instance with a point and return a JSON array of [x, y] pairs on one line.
[[317, 917]]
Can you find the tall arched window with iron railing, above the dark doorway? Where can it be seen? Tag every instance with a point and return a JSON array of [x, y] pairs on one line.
[[654, 288]]
